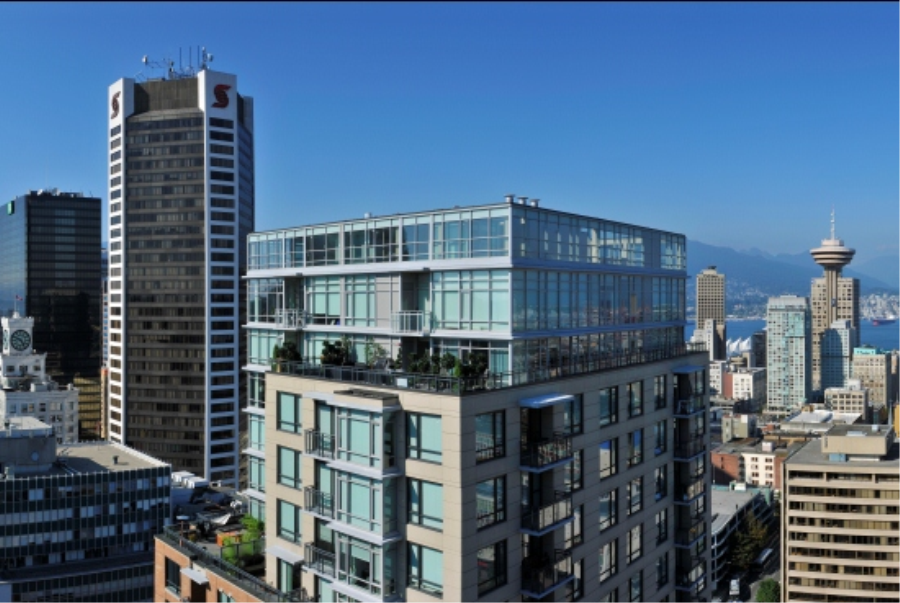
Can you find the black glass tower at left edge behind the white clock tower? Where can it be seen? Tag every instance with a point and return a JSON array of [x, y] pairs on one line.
[[51, 272]]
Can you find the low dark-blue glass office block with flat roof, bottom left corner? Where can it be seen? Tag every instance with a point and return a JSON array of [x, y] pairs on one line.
[[77, 522]]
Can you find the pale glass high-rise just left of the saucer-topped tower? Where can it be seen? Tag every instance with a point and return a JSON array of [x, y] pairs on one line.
[[787, 354]]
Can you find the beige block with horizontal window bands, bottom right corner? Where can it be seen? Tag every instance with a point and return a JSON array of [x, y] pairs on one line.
[[840, 540]]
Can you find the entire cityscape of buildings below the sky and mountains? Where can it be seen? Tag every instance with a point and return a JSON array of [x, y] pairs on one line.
[[495, 402]]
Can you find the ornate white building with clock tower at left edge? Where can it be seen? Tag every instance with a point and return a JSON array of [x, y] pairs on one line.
[[27, 390]]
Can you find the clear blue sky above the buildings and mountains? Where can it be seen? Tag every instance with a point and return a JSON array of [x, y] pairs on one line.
[[738, 124]]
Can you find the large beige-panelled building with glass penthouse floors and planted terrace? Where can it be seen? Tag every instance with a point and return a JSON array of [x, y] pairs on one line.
[[447, 405]]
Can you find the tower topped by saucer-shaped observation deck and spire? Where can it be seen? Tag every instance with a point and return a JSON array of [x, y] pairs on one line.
[[833, 297]]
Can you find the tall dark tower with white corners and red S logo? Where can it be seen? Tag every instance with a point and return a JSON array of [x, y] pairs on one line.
[[181, 202]]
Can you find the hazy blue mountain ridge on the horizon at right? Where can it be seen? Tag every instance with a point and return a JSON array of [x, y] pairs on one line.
[[783, 274]]
